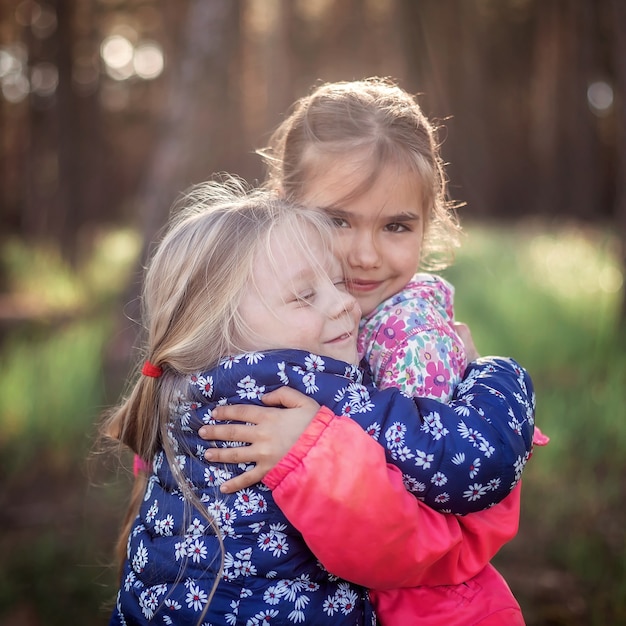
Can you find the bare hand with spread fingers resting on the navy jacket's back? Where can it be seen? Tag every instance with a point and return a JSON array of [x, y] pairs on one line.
[[271, 432]]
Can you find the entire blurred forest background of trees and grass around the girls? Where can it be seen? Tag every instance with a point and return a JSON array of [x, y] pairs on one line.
[[110, 108]]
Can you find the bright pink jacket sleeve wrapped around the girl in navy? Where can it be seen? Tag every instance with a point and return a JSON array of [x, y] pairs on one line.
[[353, 511]]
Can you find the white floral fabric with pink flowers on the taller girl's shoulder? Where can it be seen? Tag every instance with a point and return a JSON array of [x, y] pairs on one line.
[[410, 343]]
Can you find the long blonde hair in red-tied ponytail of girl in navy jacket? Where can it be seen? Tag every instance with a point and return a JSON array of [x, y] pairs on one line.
[[192, 289]]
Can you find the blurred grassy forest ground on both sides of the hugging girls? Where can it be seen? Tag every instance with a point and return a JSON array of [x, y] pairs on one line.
[[548, 298]]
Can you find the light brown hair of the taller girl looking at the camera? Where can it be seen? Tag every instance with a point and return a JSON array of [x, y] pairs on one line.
[[377, 121]]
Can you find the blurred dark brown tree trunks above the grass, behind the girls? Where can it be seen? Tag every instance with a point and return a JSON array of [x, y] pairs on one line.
[[531, 95]]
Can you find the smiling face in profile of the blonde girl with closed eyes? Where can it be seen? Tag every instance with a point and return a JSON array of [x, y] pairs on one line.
[[294, 305]]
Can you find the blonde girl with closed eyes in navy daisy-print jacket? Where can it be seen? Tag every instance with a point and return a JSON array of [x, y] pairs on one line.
[[237, 273]]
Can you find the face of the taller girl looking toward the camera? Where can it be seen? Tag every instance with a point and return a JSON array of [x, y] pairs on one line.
[[380, 232]]
